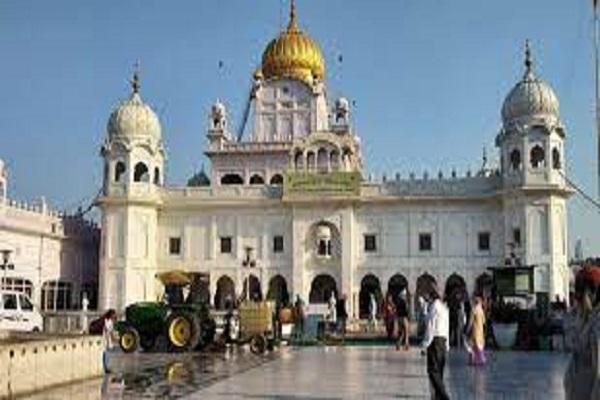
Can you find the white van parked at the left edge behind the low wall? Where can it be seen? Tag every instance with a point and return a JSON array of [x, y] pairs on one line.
[[17, 313]]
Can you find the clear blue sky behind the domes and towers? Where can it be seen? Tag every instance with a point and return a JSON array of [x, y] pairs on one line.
[[428, 78]]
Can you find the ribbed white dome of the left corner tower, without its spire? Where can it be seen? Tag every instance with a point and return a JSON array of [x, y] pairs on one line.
[[134, 118]]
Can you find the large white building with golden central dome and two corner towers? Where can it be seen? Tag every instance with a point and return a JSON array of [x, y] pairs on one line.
[[292, 190]]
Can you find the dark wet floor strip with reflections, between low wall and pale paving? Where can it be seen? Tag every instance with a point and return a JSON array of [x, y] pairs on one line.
[[160, 375]]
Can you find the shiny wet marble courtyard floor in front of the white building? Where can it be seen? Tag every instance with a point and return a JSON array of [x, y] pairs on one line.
[[326, 373]]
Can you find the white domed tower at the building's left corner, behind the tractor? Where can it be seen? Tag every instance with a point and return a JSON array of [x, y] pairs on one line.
[[134, 160]]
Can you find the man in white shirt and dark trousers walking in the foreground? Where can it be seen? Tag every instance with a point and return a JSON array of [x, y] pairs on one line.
[[436, 343]]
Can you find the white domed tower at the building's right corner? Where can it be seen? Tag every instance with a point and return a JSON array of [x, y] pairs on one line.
[[531, 144]]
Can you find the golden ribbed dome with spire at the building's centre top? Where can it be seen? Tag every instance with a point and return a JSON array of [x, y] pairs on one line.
[[293, 54]]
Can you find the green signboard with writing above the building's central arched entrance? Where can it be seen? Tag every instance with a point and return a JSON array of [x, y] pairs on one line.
[[299, 184]]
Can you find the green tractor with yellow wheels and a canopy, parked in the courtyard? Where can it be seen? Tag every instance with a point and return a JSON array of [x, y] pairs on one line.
[[177, 323]]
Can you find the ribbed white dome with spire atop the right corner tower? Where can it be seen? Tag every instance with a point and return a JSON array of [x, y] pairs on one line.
[[530, 98]]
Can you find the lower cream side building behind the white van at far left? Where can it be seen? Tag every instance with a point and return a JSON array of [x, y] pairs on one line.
[[53, 256]]
